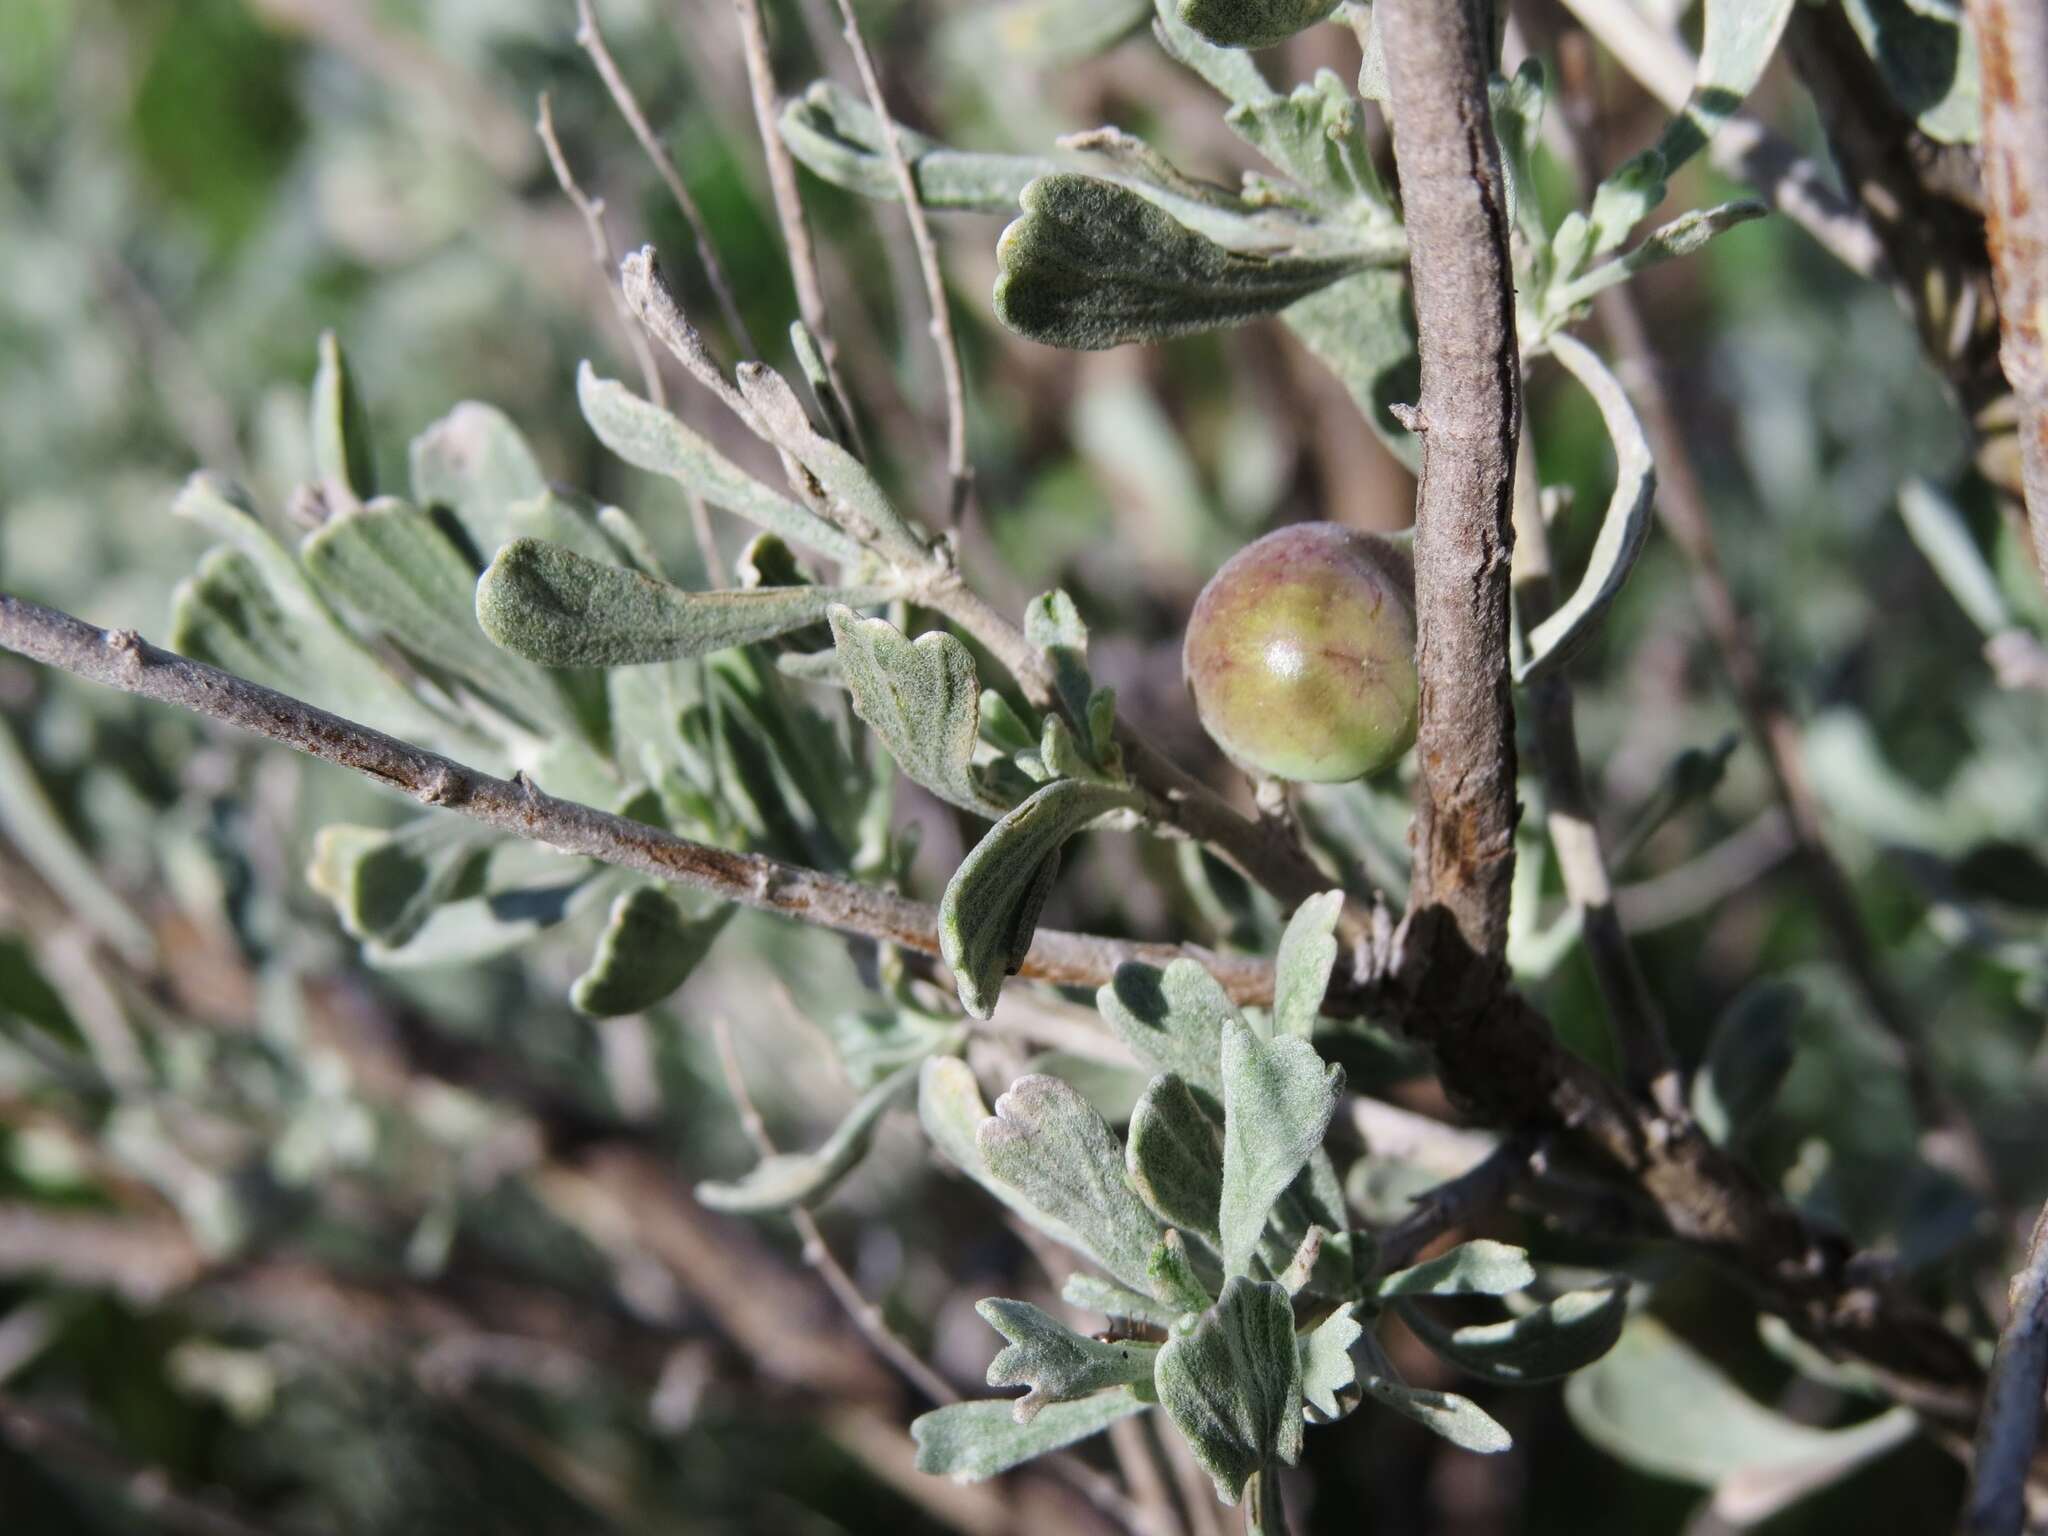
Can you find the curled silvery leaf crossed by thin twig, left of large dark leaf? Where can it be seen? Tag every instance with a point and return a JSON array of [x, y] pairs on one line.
[[839, 138]]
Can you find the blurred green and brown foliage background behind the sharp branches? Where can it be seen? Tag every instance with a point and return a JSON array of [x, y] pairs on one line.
[[351, 1250]]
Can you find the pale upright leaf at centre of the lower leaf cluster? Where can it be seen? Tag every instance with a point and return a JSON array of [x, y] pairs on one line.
[[1277, 1105]]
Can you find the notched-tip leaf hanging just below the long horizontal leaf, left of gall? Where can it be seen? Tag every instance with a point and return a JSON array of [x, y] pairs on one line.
[[923, 699]]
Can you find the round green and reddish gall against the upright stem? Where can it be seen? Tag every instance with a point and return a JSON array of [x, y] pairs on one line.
[[1302, 654]]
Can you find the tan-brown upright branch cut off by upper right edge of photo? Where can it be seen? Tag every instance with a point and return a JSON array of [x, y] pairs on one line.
[[2012, 38]]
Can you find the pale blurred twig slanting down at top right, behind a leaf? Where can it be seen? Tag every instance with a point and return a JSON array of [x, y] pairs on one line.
[[1744, 148]]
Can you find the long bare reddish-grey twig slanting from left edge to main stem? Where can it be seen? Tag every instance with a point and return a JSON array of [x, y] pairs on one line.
[[128, 663]]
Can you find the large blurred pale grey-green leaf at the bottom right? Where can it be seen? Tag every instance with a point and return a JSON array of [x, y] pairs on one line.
[[1664, 1410]]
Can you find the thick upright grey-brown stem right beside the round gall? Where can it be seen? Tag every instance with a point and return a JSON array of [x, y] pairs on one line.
[[1469, 419]]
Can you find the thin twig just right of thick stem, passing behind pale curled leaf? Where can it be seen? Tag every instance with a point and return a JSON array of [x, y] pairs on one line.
[[1582, 861]]
